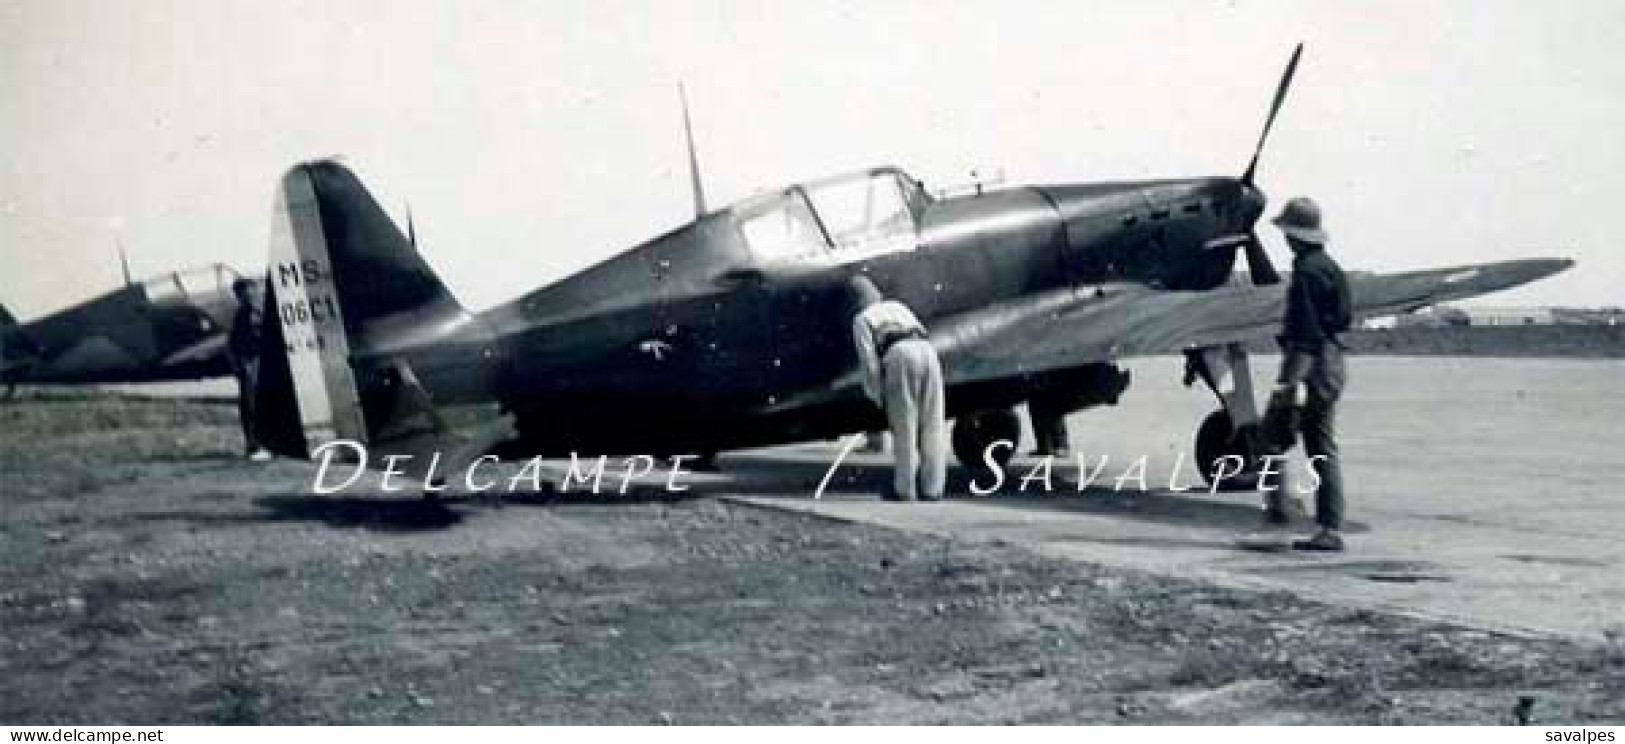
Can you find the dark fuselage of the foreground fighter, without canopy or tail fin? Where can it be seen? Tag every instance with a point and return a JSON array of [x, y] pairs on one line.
[[691, 342]]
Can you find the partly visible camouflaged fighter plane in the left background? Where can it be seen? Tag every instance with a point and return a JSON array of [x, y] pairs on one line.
[[170, 327]]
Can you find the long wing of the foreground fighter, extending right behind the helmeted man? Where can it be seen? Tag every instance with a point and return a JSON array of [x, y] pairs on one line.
[[1094, 324]]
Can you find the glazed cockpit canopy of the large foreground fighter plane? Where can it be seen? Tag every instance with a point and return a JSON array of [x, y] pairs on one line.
[[834, 220]]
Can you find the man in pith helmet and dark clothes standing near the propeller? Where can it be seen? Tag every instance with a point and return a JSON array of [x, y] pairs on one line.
[[1319, 309]]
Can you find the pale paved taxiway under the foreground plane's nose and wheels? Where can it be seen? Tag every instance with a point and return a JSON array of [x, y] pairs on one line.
[[1481, 491]]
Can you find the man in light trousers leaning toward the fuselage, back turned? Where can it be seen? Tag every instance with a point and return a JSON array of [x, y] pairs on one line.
[[903, 376]]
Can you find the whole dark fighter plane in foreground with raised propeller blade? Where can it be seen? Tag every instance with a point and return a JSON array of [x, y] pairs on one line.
[[734, 331]]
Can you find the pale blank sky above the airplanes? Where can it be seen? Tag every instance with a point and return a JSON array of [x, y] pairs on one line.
[[532, 141]]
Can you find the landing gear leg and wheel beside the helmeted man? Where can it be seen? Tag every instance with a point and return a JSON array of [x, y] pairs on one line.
[[1228, 444]]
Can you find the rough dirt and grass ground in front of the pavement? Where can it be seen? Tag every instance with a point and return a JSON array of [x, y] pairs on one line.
[[150, 576]]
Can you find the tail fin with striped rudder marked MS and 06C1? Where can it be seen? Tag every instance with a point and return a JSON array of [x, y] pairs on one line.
[[350, 308]]
